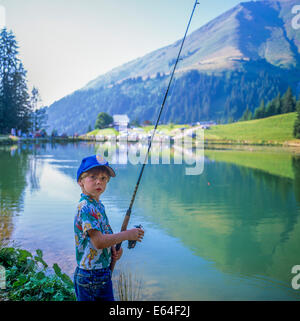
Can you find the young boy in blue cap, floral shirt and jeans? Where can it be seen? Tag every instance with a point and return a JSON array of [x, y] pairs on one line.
[[94, 238]]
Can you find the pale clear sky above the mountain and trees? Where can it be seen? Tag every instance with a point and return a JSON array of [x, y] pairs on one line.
[[64, 44]]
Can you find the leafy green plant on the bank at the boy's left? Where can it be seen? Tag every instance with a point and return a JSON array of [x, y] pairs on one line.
[[28, 277]]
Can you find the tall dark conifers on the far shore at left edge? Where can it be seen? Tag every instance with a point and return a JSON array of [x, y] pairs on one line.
[[18, 107]]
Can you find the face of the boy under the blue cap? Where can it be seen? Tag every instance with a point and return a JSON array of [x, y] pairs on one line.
[[93, 183]]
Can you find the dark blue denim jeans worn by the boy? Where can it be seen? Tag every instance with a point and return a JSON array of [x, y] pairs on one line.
[[93, 285]]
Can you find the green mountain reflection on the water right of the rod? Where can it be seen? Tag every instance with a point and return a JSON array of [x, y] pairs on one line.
[[236, 221]]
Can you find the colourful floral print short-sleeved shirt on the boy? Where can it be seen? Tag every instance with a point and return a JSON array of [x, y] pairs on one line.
[[90, 215]]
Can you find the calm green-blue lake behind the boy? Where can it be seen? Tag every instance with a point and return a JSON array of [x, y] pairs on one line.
[[231, 233]]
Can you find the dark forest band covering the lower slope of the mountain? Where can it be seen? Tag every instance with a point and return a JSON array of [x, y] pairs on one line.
[[193, 97]]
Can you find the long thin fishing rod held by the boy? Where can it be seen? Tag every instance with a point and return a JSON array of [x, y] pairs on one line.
[[131, 244]]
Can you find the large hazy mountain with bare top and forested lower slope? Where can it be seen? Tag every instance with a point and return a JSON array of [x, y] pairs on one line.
[[248, 53]]
